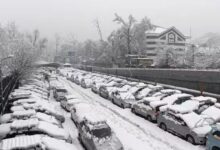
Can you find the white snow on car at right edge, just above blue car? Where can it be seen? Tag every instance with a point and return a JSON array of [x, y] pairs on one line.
[[212, 112]]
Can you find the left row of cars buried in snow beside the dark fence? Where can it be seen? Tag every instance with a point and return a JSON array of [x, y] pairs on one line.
[[31, 122]]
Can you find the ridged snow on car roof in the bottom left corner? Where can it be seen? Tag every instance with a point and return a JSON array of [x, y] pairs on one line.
[[20, 142]]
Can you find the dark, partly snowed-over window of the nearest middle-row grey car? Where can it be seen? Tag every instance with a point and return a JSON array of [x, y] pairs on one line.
[[101, 132]]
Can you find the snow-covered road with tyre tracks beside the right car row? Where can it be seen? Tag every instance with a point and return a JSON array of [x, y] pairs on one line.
[[134, 132]]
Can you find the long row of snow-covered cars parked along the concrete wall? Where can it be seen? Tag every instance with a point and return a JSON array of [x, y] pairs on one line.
[[185, 115]]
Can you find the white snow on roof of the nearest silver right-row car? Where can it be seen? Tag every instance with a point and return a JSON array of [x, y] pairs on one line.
[[185, 107]]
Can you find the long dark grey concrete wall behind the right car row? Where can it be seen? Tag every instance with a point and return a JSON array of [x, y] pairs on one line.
[[201, 80]]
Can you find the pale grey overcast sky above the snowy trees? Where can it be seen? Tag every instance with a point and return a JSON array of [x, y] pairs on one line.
[[77, 16]]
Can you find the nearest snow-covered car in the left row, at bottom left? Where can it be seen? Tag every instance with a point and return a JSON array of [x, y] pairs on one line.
[[35, 142]]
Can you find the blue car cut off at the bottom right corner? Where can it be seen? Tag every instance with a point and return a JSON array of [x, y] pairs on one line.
[[213, 138]]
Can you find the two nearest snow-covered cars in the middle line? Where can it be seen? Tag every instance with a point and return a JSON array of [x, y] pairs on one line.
[[94, 131]]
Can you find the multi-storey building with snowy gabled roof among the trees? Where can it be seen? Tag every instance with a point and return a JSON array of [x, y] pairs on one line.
[[161, 37]]
